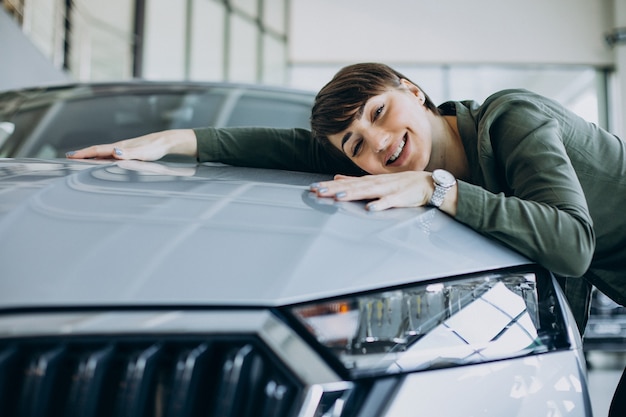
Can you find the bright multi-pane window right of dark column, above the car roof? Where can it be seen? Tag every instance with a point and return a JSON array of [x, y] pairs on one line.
[[228, 40]]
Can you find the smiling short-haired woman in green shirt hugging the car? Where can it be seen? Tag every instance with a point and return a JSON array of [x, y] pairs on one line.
[[519, 168]]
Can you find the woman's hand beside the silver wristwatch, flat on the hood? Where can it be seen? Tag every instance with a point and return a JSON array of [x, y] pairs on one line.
[[402, 189]]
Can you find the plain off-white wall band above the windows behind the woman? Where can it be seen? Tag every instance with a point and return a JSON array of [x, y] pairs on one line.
[[452, 31]]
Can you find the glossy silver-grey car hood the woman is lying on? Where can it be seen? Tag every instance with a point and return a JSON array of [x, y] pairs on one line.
[[134, 233]]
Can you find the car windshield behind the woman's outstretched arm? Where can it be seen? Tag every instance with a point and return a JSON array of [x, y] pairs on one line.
[[48, 128]]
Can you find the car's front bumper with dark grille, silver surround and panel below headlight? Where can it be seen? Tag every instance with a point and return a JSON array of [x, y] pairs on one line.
[[240, 363]]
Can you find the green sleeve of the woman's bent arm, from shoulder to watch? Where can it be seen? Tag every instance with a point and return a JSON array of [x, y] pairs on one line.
[[538, 206]]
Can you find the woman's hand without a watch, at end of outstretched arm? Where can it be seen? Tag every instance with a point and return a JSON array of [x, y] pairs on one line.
[[150, 147]]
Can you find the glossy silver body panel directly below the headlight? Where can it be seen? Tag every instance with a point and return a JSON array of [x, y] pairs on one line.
[[531, 386]]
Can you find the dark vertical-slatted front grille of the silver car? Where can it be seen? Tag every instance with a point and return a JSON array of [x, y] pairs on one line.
[[143, 376]]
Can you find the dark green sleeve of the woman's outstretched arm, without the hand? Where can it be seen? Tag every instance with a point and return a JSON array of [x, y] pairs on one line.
[[288, 149]]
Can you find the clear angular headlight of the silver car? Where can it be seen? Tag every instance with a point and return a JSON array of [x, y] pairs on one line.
[[438, 324]]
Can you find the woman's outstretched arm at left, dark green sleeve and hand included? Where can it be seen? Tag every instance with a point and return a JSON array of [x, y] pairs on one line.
[[290, 149]]
